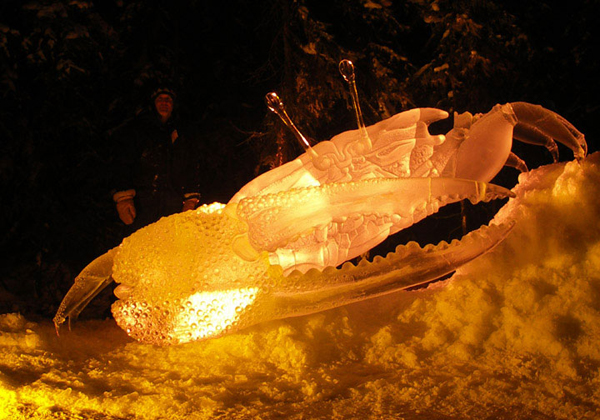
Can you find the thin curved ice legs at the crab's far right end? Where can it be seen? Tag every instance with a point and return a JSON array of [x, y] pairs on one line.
[[540, 126]]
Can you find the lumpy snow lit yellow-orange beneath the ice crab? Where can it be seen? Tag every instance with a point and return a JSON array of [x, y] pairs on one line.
[[512, 335]]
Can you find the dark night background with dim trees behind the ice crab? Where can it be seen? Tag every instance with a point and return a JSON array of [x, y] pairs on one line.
[[72, 72]]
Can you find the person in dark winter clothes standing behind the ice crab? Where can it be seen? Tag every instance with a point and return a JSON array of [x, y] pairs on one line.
[[156, 171]]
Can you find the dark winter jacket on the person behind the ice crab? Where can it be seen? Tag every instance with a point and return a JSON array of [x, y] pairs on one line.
[[161, 172]]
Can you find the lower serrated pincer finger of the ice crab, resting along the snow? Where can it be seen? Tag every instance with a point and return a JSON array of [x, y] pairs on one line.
[[407, 267]]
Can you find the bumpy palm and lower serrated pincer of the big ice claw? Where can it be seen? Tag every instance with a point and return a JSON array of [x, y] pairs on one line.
[[229, 295]]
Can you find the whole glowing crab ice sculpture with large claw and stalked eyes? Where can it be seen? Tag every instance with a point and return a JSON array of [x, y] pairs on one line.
[[272, 251]]
